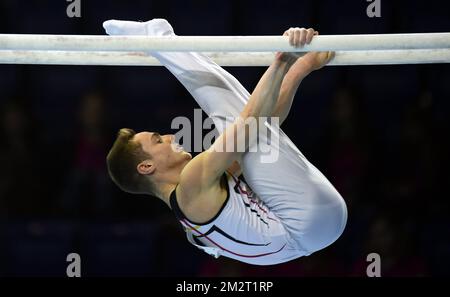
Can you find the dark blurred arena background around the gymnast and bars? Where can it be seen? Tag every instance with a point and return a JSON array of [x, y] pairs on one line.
[[379, 133]]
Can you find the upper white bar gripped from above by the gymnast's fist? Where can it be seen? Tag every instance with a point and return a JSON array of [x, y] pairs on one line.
[[222, 43]]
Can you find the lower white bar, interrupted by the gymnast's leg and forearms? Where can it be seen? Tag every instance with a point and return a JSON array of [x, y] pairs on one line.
[[224, 59]]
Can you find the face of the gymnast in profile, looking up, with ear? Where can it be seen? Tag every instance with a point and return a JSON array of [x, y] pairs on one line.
[[165, 153]]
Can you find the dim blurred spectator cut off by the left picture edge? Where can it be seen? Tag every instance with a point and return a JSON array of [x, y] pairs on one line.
[[21, 160]]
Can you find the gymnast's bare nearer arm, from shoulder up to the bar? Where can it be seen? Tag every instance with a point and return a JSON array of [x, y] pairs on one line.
[[203, 172]]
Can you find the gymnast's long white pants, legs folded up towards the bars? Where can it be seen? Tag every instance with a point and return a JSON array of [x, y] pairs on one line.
[[308, 205]]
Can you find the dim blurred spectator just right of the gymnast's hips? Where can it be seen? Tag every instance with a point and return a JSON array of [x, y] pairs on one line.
[[348, 147]]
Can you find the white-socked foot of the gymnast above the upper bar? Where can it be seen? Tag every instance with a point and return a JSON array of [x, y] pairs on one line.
[[154, 27]]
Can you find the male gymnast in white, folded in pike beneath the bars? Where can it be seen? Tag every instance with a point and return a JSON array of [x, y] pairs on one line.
[[285, 209]]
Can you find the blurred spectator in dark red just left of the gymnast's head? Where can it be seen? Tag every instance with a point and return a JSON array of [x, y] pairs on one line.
[[87, 190]]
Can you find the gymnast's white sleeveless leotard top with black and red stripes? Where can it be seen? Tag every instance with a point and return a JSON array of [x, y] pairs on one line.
[[244, 229]]
